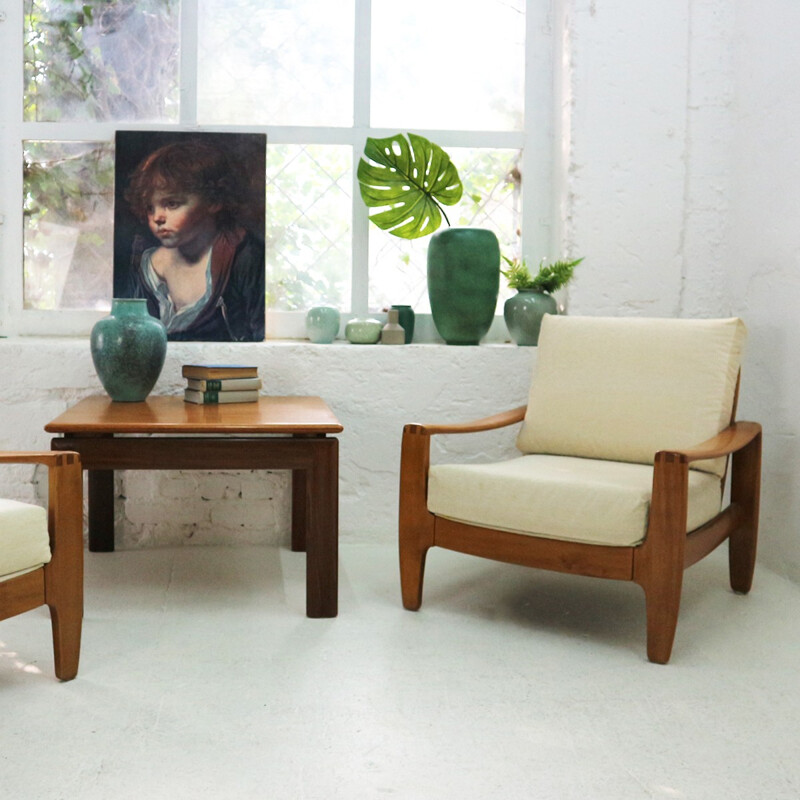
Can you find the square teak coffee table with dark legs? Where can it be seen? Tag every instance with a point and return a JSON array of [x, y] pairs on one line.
[[291, 433]]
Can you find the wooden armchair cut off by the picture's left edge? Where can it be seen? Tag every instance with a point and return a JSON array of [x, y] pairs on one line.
[[41, 554]]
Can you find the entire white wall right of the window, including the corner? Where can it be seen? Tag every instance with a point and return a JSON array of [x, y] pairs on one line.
[[683, 193]]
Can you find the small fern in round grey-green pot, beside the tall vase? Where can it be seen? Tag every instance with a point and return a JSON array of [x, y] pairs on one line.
[[523, 313]]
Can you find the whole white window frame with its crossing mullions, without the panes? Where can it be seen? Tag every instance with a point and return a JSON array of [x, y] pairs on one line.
[[542, 162]]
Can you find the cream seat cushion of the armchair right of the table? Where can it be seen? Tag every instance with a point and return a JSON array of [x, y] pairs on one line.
[[562, 497]]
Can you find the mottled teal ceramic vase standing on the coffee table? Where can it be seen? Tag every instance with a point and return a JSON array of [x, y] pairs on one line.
[[128, 350]]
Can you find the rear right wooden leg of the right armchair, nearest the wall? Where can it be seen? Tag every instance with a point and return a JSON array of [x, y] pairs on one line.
[[745, 492]]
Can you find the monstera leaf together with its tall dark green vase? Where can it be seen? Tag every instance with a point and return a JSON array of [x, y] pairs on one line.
[[406, 181]]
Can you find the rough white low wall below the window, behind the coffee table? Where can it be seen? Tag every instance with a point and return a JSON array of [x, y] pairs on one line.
[[373, 389]]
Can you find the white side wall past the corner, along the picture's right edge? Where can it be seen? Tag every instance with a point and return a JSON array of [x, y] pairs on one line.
[[765, 251]]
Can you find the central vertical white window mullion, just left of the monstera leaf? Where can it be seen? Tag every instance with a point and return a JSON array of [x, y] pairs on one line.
[[361, 120]]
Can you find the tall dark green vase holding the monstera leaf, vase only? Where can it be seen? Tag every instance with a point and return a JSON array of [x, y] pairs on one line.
[[463, 282]]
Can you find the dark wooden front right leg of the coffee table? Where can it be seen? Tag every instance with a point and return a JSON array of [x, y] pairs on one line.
[[322, 536]]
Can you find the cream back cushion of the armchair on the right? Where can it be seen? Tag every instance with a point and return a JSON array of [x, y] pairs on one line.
[[622, 389]]
